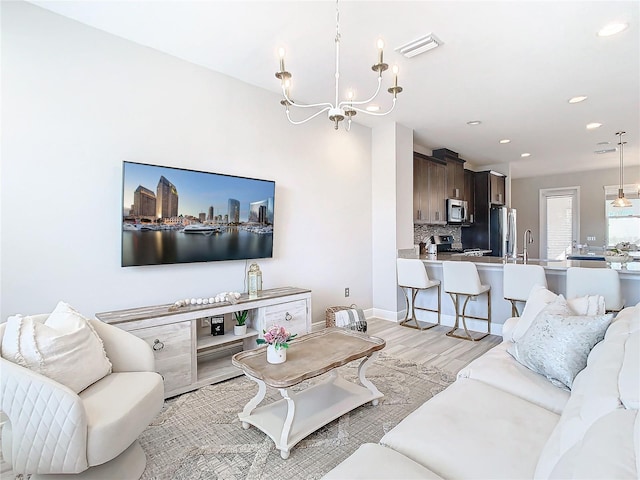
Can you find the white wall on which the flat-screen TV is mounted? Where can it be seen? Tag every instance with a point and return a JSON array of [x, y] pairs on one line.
[[77, 102]]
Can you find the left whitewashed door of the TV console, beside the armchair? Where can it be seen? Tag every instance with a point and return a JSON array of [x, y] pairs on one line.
[[172, 349]]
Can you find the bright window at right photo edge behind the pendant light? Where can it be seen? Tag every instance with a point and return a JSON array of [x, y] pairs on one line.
[[623, 224]]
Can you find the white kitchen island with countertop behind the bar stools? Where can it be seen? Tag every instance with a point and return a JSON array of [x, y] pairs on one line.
[[490, 271]]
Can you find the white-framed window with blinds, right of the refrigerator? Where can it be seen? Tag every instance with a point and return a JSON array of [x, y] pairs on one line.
[[559, 221]]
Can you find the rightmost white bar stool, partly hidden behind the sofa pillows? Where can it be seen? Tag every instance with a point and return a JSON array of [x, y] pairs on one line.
[[596, 281]]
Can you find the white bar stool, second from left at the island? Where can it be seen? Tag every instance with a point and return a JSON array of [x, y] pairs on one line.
[[461, 278]]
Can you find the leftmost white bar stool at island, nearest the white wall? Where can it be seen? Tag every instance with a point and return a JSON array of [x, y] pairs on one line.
[[412, 275]]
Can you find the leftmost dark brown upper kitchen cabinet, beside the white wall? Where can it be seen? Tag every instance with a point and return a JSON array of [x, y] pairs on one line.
[[429, 185]]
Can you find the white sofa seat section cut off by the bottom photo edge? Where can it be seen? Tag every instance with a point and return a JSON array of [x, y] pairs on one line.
[[372, 462]]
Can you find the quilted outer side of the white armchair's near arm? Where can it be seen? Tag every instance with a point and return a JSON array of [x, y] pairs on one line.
[[42, 440]]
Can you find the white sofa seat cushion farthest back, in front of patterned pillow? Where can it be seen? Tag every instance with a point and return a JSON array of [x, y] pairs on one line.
[[500, 370]]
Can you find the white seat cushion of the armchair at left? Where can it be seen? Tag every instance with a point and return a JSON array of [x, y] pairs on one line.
[[118, 408]]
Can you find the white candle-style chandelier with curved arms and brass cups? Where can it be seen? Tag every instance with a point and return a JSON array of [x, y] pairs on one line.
[[339, 110]]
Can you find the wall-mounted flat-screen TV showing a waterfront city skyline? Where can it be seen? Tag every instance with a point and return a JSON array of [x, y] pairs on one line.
[[173, 215]]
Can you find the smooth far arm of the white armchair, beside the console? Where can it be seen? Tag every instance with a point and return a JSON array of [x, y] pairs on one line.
[[126, 352]]
